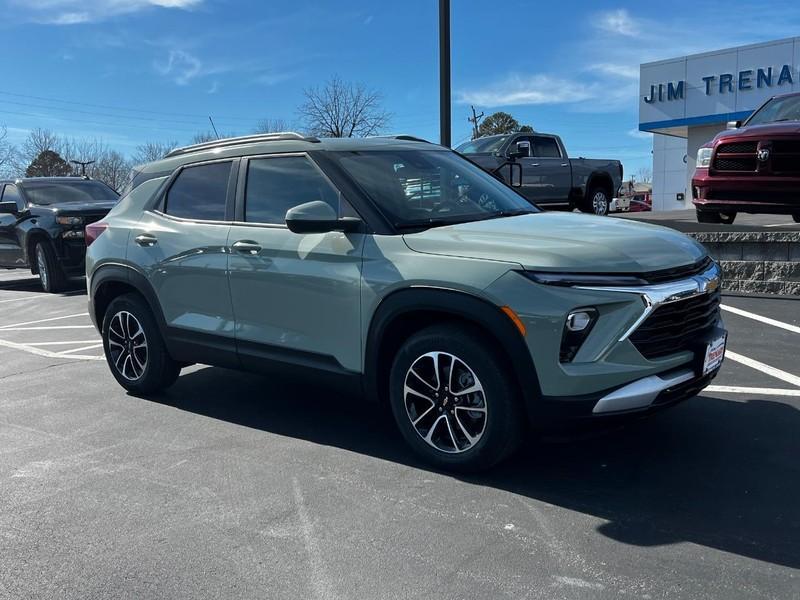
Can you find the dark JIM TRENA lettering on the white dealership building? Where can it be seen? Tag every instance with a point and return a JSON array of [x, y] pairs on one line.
[[724, 83]]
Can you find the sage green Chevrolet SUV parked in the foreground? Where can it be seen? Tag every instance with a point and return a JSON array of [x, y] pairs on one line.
[[402, 269]]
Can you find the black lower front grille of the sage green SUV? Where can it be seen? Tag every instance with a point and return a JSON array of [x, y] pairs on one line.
[[677, 326]]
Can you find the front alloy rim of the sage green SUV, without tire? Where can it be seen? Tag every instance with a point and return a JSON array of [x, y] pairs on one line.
[[445, 402]]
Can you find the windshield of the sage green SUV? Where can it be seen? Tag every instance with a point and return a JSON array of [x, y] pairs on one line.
[[430, 187]]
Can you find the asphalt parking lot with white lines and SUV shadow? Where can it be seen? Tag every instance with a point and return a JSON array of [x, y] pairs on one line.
[[238, 486]]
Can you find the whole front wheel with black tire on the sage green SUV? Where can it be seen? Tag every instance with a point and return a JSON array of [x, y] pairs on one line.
[[502, 420]]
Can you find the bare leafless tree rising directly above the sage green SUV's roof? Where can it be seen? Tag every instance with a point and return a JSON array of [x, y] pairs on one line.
[[341, 109]]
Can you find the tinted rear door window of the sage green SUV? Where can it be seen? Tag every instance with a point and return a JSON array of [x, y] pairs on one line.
[[200, 192]]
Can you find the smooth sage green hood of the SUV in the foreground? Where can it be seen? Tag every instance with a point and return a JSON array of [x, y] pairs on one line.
[[563, 242]]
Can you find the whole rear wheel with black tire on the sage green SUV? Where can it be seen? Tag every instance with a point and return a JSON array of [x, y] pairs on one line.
[[138, 372]]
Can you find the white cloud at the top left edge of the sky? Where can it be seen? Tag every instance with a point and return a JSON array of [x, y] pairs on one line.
[[72, 12]]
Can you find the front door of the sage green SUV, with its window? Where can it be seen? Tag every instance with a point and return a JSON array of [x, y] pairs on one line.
[[296, 297]]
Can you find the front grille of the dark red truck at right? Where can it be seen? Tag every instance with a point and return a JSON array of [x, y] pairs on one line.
[[742, 158]]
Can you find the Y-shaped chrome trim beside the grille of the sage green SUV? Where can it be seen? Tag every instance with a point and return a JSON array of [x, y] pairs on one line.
[[659, 294]]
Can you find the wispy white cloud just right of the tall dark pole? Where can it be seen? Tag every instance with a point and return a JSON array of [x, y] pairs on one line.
[[527, 90]]
